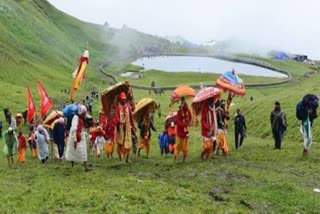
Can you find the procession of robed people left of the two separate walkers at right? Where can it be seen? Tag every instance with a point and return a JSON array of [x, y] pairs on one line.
[[119, 132]]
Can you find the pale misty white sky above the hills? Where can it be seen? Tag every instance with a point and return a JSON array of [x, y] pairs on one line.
[[290, 25]]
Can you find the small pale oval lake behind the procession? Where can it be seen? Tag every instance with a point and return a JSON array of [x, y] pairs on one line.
[[202, 64]]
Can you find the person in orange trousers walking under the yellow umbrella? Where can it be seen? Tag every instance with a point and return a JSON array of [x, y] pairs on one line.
[[145, 133]]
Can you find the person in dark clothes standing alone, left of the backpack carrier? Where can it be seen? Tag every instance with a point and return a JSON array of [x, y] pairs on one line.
[[278, 122]]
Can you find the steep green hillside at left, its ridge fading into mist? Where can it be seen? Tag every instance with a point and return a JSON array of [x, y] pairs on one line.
[[39, 42]]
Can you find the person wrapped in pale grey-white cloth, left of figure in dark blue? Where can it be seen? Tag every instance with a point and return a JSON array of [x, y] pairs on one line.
[[42, 139]]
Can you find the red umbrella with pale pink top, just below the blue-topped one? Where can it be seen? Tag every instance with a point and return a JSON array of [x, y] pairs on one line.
[[203, 95]]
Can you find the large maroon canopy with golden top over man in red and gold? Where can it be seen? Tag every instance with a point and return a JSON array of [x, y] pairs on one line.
[[110, 95]]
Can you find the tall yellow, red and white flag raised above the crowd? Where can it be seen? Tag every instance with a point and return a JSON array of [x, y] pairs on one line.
[[79, 74]]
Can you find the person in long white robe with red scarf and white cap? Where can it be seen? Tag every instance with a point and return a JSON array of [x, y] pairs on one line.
[[76, 150]]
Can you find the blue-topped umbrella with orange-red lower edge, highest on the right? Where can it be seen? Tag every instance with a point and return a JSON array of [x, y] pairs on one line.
[[231, 82]]
